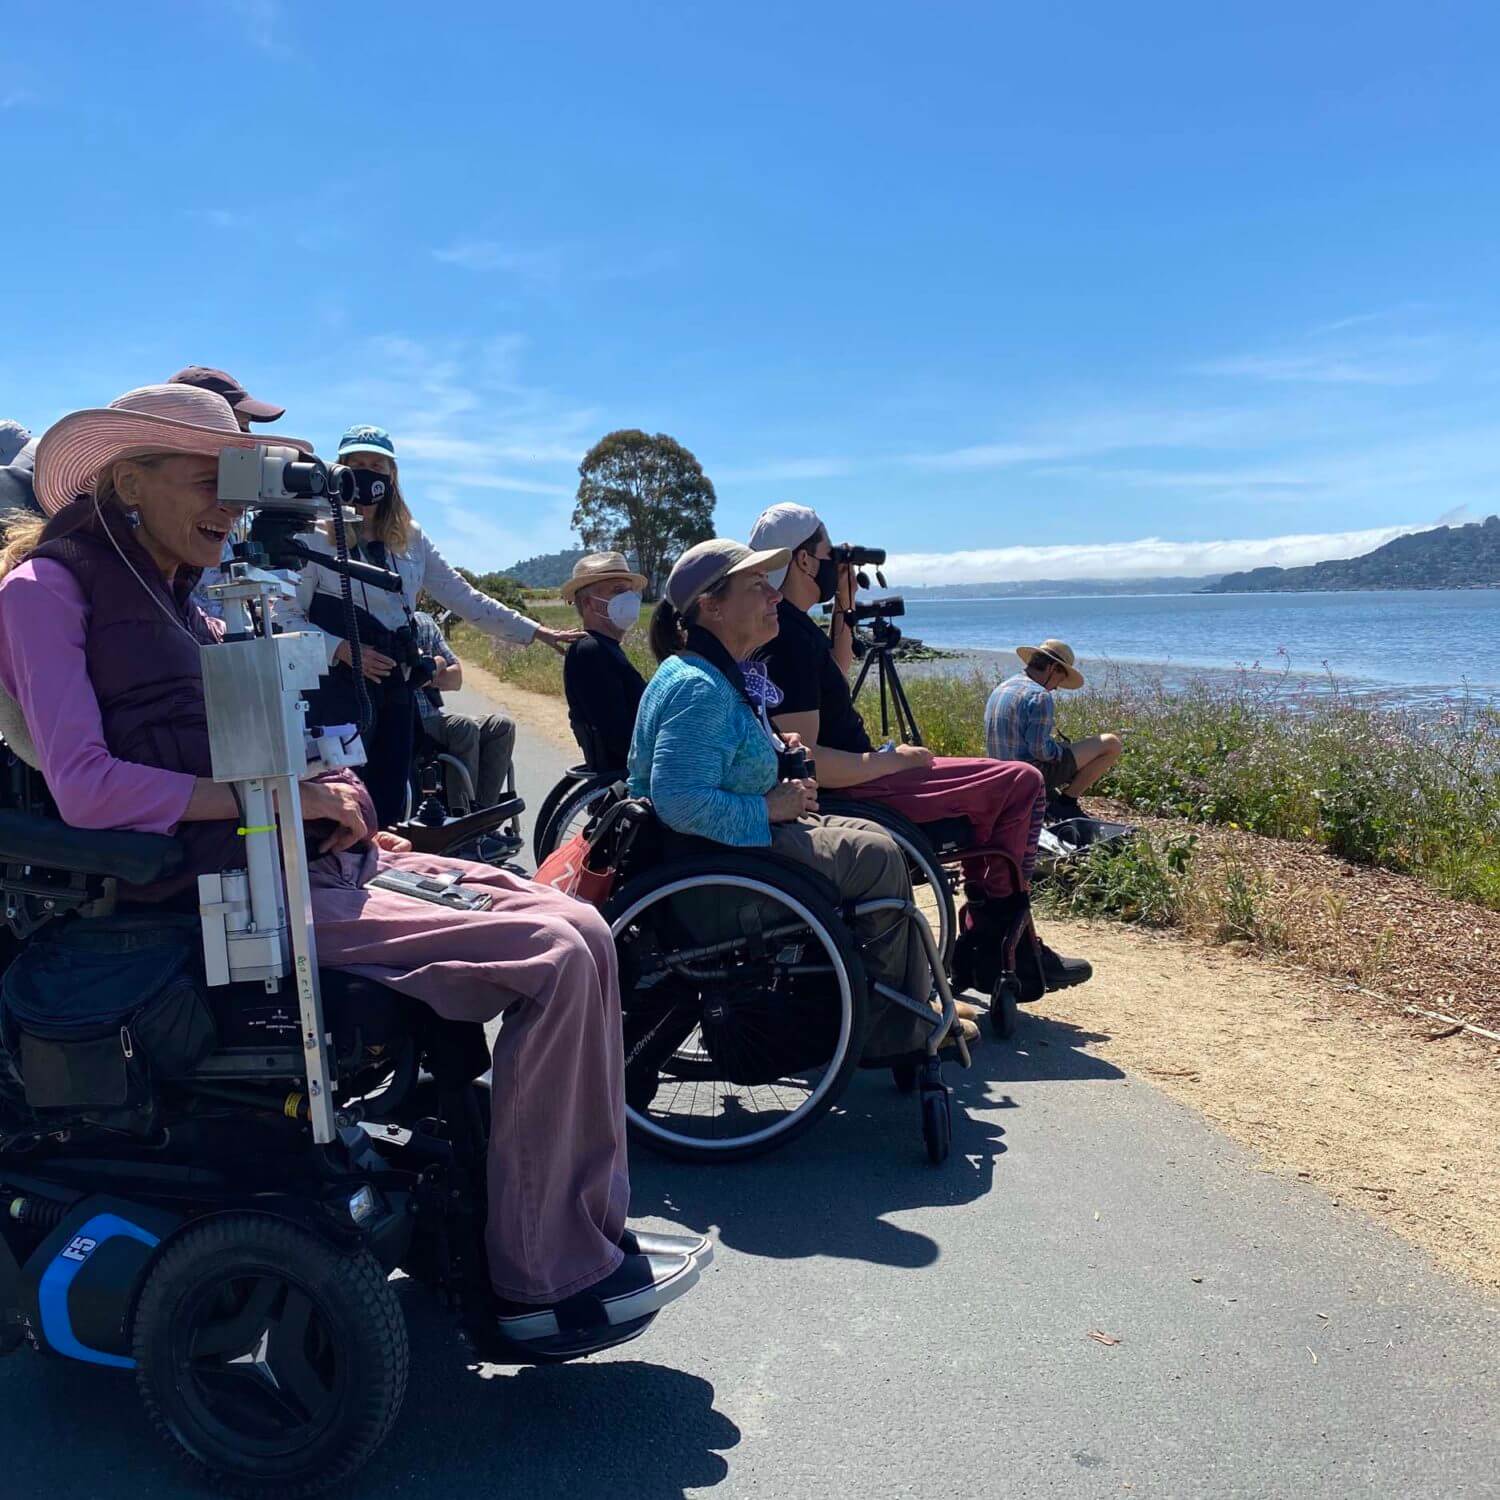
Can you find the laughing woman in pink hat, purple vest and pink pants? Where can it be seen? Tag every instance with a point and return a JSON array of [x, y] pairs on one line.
[[100, 646]]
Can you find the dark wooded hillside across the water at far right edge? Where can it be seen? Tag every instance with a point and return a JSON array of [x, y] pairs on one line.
[[1445, 557]]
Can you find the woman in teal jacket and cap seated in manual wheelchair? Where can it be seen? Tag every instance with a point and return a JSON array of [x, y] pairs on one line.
[[709, 761]]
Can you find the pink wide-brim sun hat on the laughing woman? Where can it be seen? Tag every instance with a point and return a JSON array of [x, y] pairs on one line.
[[154, 419]]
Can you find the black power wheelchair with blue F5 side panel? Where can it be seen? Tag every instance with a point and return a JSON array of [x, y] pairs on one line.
[[173, 1214]]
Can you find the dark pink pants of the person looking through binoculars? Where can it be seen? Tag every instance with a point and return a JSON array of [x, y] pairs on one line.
[[1004, 800]]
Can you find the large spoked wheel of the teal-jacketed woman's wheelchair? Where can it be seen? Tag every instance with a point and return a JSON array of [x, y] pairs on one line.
[[745, 1007]]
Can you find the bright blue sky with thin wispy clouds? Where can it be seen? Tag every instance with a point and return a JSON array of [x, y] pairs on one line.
[[1012, 290]]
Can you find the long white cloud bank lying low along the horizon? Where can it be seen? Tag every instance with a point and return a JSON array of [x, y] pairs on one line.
[[1150, 557]]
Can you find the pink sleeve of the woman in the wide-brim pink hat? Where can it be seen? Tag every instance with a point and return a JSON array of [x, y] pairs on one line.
[[44, 620]]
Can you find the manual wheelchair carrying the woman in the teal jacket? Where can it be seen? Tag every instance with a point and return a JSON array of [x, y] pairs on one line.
[[746, 1001]]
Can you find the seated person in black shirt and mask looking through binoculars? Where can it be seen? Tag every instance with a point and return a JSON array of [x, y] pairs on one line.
[[1003, 803]]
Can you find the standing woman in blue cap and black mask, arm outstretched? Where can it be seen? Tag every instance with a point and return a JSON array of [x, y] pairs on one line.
[[389, 538]]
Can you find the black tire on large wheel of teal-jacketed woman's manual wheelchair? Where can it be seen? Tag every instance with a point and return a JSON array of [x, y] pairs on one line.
[[782, 880]]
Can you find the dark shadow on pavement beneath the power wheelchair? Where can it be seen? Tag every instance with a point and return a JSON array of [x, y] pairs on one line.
[[590, 1429]]
